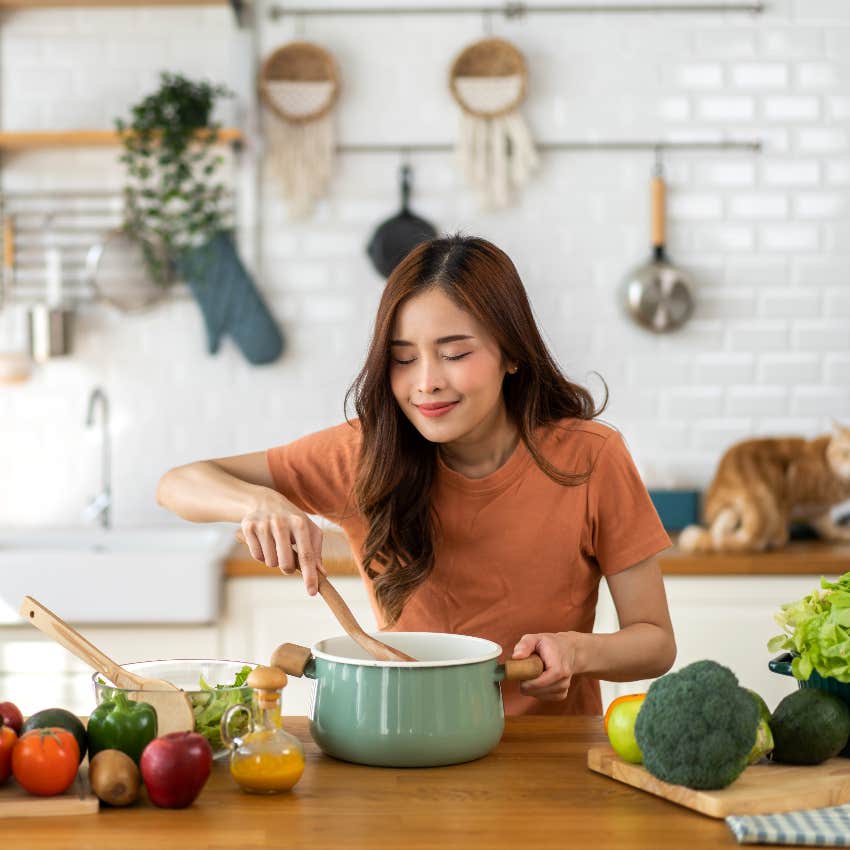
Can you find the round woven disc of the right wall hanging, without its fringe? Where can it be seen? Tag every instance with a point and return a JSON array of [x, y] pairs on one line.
[[488, 58]]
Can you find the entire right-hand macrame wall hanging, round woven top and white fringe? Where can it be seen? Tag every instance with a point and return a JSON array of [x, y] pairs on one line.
[[495, 150]]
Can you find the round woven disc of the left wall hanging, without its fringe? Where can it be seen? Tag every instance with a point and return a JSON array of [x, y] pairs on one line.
[[295, 63]]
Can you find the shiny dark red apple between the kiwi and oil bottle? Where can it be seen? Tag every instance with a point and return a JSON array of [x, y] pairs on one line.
[[175, 767]]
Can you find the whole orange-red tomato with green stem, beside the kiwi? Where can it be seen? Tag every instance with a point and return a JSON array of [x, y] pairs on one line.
[[45, 761]]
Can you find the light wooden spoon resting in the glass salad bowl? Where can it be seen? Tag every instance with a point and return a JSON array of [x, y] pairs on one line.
[[173, 708]]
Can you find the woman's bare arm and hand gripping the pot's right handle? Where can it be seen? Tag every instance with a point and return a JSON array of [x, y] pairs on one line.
[[643, 648]]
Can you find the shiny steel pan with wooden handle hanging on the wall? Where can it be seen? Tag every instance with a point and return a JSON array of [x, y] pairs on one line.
[[657, 295]]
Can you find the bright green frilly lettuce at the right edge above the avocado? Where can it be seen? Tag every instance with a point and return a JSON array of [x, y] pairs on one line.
[[817, 630]]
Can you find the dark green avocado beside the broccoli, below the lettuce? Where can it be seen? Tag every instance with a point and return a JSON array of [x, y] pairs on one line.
[[809, 726]]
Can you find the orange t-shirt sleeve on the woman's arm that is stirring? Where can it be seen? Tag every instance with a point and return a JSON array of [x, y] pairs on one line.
[[316, 473]]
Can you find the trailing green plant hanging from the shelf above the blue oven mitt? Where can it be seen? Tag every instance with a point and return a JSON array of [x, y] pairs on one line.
[[171, 199]]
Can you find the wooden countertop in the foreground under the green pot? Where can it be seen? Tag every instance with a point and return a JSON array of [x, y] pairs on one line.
[[533, 790]]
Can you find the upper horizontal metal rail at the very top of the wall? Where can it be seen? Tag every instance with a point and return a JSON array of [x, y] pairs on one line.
[[518, 10]]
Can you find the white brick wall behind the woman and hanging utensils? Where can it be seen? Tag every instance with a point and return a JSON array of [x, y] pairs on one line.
[[766, 238]]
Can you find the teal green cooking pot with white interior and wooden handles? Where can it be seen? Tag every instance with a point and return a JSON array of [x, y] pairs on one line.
[[445, 708]]
